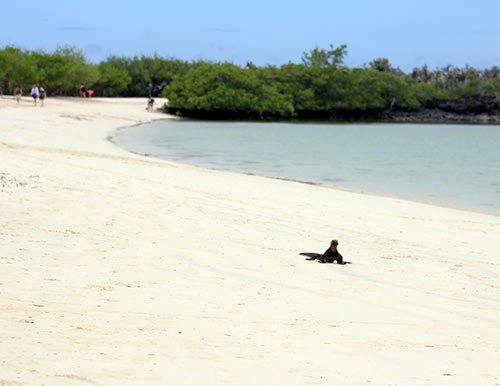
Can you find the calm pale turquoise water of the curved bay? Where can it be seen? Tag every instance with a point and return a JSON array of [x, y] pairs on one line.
[[452, 165]]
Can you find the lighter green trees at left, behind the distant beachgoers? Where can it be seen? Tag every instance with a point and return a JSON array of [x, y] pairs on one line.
[[62, 72]]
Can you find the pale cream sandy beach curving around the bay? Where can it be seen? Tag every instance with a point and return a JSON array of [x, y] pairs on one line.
[[119, 269]]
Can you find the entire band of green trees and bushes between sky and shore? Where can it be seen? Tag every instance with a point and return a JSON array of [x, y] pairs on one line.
[[319, 87]]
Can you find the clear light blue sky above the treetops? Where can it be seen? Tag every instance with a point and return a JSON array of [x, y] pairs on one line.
[[265, 32]]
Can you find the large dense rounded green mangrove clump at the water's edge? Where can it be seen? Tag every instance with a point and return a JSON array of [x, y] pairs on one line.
[[224, 90]]
